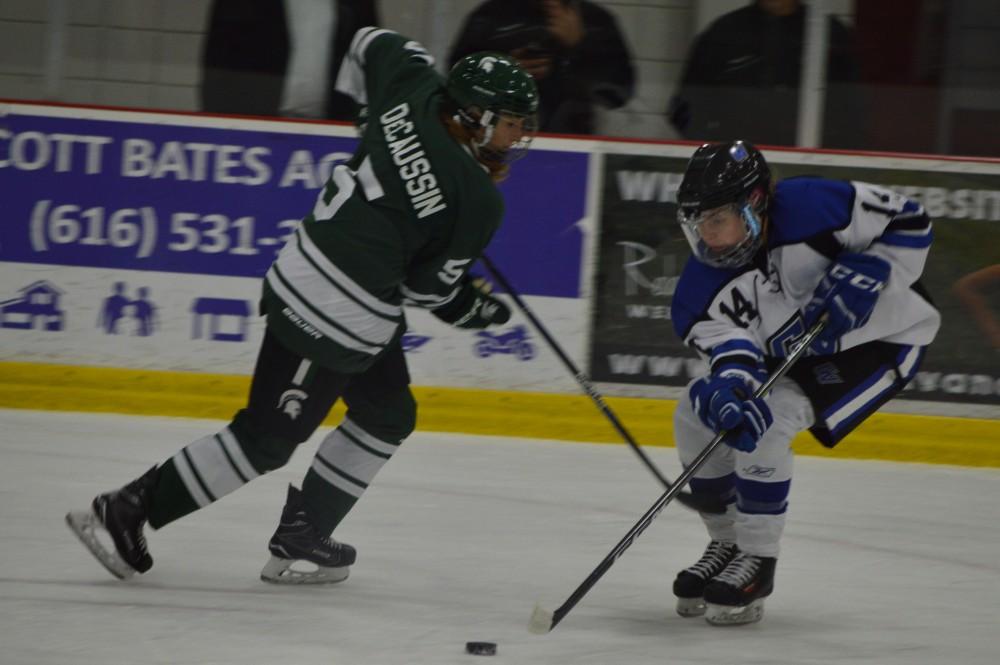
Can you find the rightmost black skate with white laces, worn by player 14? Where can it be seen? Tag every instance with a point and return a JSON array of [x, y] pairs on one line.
[[736, 595]]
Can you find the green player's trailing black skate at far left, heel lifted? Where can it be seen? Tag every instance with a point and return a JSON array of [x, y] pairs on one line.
[[122, 513]]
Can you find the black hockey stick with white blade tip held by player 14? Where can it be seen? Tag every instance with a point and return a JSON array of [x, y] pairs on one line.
[[543, 620]]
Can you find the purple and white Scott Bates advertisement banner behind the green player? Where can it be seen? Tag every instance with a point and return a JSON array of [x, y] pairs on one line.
[[140, 240]]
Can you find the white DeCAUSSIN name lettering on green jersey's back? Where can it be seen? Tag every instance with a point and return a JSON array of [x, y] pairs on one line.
[[414, 167]]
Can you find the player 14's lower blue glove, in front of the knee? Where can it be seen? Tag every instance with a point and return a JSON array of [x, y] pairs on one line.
[[724, 403]]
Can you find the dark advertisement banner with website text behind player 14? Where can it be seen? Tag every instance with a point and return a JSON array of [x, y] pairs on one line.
[[641, 252]]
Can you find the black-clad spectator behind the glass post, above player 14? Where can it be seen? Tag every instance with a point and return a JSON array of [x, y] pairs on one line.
[[743, 73]]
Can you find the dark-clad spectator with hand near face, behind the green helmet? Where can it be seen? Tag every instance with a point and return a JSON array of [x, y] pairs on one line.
[[573, 49]]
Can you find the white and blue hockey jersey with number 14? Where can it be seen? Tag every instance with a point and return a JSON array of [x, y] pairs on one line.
[[746, 315]]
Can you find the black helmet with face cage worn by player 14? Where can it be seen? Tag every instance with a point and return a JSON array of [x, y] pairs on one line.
[[718, 175]]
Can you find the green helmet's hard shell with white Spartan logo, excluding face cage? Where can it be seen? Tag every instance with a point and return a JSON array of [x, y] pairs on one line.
[[492, 82]]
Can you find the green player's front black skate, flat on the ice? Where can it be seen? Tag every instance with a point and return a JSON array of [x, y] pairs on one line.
[[296, 540]]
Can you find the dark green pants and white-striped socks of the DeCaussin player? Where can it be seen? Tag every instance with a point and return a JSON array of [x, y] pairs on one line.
[[289, 398]]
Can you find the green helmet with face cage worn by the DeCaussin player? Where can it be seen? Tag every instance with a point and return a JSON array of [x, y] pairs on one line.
[[485, 87]]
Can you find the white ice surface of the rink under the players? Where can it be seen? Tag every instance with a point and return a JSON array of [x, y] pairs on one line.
[[461, 535]]
